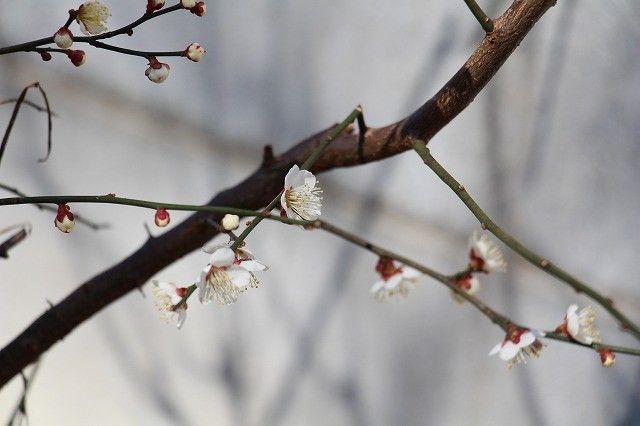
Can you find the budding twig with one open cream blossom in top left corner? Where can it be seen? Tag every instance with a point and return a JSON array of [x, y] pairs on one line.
[[92, 18]]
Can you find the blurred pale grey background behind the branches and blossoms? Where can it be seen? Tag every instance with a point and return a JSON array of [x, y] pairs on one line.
[[550, 149]]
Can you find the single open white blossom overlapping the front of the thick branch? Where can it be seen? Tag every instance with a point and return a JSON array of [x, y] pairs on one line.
[[301, 198]]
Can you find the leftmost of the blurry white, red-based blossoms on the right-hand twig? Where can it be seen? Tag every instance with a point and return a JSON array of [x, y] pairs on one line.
[[396, 280]]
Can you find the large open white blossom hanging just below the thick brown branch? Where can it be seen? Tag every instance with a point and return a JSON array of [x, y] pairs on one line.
[[227, 274]]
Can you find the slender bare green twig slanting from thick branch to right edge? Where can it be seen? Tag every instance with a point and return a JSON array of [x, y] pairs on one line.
[[540, 262]]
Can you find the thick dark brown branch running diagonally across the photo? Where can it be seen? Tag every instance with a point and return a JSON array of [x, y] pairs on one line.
[[259, 188]]
